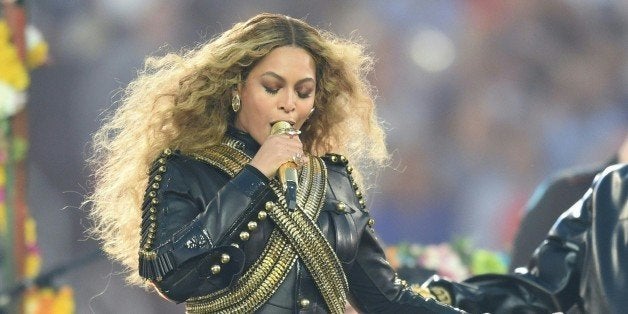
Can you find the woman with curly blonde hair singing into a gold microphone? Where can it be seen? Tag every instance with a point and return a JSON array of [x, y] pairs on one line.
[[186, 176]]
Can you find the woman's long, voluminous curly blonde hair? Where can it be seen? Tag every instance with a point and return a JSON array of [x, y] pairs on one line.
[[182, 101]]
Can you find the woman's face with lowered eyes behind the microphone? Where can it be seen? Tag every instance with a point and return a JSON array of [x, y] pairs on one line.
[[281, 87]]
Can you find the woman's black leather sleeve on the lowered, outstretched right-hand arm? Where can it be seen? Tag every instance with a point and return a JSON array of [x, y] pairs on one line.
[[373, 284]]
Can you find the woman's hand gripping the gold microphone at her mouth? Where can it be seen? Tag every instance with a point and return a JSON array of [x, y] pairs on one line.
[[277, 150]]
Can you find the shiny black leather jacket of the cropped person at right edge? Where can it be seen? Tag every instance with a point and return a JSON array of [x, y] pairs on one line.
[[582, 266]]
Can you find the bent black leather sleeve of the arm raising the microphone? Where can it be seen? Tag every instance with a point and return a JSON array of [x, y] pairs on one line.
[[190, 213]]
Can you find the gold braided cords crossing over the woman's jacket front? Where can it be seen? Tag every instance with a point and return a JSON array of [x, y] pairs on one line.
[[264, 277]]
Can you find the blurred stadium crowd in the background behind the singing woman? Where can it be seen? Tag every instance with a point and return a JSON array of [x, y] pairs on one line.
[[483, 99]]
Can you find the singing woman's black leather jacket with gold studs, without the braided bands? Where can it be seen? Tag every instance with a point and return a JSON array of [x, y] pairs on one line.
[[195, 213]]
